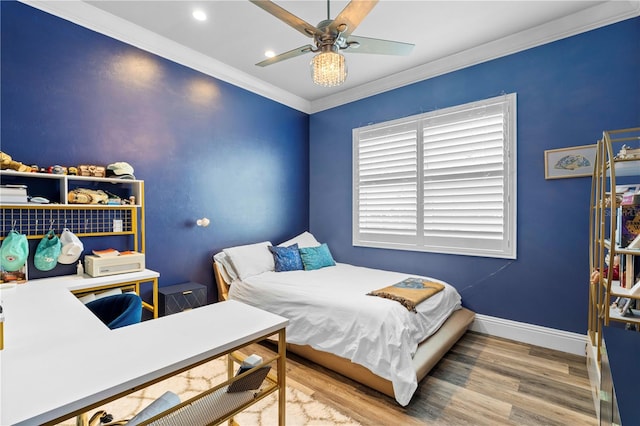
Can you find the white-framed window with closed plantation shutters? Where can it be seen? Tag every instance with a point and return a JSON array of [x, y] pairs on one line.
[[443, 181]]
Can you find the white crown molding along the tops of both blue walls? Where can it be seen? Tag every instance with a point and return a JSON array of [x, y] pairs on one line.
[[95, 19]]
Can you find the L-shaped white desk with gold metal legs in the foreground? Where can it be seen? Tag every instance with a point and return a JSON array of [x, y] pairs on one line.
[[60, 360]]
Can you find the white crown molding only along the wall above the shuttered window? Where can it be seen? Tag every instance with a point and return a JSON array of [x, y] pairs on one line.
[[589, 19]]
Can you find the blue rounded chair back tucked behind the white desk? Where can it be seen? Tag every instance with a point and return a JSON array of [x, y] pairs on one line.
[[118, 310]]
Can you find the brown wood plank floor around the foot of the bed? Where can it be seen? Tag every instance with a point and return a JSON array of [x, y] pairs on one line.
[[483, 380]]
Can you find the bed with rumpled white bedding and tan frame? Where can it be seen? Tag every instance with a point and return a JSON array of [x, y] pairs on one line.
[[334, 322]]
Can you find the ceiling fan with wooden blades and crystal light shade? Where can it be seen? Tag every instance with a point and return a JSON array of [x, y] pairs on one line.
[[331, 36]]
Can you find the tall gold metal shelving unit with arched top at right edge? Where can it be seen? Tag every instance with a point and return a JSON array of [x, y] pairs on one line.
[[604, 246]]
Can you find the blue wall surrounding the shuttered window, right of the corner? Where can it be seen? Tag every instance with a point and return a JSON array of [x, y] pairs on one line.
[[568, 92]]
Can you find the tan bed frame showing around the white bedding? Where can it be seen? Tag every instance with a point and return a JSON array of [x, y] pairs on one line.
[[429, 351]]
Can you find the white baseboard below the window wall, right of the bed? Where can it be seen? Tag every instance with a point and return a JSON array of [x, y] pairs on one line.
[[550, 338]]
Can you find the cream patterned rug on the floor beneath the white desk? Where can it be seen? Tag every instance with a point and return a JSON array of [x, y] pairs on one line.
[[302, 408]]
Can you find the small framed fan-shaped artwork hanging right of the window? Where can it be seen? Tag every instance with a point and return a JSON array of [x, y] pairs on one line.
[[577, 161]]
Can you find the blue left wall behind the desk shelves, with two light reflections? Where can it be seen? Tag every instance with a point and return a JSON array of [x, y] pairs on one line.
[[204, 147]]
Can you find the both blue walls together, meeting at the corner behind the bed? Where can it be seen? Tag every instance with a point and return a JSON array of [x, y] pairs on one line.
[[260, 170]]
